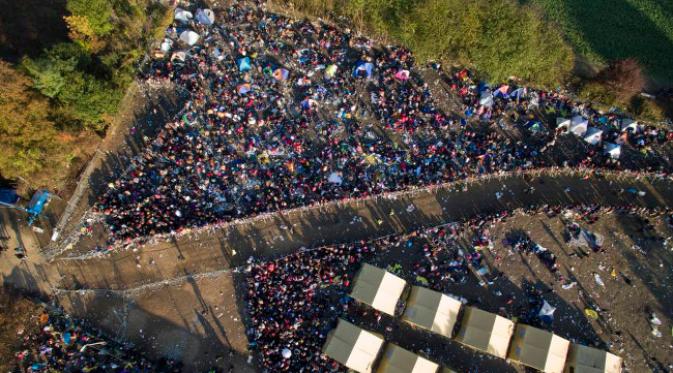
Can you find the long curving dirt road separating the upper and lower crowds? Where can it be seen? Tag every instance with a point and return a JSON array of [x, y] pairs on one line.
[[217, 248]]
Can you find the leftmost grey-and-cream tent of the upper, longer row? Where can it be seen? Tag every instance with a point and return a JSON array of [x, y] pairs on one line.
[[378, 288]]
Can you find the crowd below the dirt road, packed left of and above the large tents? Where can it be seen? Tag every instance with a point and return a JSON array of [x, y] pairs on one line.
[[294, 301]]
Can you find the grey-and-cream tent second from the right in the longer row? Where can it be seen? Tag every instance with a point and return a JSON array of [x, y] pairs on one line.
[[538, 349]]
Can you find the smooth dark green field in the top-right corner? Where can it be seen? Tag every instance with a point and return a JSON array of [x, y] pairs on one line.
[[608, 30]]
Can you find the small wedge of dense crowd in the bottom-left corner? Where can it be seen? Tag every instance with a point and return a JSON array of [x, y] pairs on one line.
[[62, 344]]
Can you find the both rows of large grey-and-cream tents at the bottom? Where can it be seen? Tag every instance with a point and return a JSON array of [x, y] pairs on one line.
[[439, 313]]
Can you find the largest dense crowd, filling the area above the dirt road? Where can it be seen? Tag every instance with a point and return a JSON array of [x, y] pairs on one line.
[[284, 113]]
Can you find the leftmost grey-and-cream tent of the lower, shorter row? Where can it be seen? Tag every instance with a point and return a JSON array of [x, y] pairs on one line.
[[353, 347]]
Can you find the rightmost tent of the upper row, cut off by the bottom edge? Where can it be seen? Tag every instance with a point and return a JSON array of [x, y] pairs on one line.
[[585, 359]]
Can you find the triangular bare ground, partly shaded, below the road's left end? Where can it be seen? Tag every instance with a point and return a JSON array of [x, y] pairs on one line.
[[165, 325]]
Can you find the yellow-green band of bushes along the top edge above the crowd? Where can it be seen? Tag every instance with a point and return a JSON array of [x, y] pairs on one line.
[[501, 39]]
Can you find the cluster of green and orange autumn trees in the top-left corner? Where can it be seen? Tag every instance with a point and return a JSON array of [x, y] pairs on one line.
[[73, 87]]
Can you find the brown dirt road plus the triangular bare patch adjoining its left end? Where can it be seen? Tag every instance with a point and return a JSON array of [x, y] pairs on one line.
[[167, 296]]
